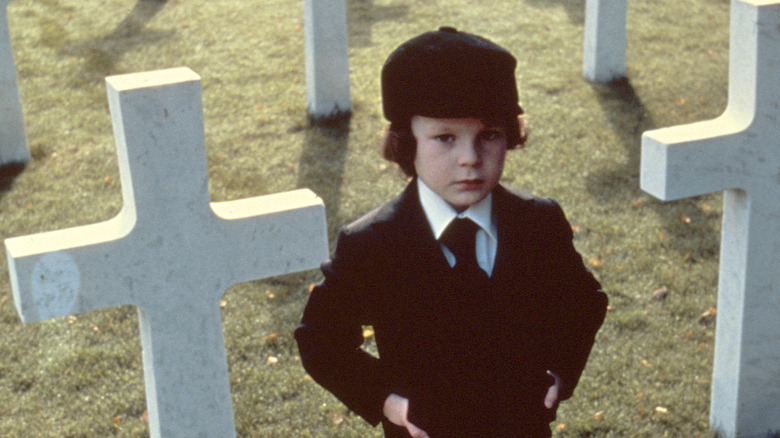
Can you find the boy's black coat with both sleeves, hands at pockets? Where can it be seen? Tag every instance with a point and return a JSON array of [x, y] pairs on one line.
[[470, 367]]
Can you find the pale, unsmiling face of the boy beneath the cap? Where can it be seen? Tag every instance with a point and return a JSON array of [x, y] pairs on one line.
[[461, 160]]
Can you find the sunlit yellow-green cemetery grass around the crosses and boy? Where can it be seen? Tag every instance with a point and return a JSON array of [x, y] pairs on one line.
[[650, 370]]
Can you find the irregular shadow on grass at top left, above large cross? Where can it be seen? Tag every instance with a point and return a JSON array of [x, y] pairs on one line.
[[101, 54]]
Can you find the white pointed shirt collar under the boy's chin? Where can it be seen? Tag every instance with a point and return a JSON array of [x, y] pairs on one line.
[[440, 213]]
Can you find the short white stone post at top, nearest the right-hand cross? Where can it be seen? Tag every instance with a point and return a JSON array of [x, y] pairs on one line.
[[604, 55]]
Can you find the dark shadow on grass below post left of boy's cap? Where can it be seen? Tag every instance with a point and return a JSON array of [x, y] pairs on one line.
[[321, 166]]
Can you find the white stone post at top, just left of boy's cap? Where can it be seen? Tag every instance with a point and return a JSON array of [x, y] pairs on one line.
[[327, 58]]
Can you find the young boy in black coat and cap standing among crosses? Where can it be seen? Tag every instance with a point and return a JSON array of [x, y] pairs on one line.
[[483, 312]]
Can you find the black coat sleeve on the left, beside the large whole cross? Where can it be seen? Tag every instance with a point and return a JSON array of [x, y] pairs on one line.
[[330, 334]]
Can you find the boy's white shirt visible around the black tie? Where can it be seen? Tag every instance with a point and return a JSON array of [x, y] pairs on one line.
[[440, 214]]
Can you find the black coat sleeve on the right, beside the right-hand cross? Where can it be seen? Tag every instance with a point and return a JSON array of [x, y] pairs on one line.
[[580, 308]]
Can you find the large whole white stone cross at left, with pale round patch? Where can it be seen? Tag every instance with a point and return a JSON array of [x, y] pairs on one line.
[[170, 252]]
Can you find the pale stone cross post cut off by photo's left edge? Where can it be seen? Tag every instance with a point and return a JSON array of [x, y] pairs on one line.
[[13, 140]]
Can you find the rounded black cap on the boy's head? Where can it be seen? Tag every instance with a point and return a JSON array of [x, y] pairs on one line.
[[449, 74]]
